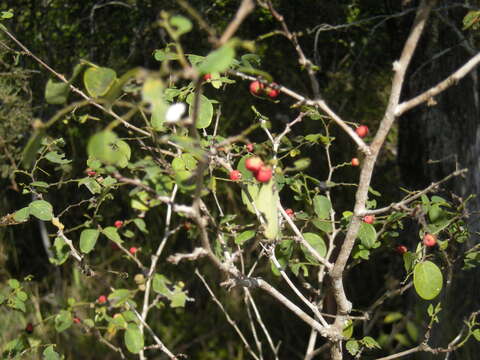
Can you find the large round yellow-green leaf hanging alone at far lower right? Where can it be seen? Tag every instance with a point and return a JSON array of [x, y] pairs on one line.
[[427, 279]]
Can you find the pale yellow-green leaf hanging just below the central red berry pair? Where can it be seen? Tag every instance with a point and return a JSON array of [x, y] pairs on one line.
[[266, 203]]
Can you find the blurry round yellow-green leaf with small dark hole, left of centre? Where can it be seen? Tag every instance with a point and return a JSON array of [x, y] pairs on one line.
[[106, 147]]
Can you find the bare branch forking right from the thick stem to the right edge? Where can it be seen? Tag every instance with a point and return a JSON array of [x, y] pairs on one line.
[[440, 87]]
